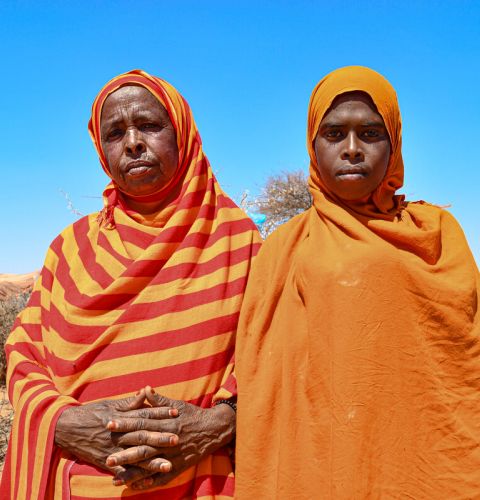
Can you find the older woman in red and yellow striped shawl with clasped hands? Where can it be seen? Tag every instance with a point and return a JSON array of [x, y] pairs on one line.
[[145, 293]]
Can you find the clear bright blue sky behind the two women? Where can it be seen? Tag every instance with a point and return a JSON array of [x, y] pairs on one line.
[[247, 69]]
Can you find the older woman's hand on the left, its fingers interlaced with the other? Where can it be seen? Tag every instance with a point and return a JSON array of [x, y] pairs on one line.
[[82, 430]]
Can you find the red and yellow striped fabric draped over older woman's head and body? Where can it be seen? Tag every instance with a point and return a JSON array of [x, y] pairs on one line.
[[125, 300]]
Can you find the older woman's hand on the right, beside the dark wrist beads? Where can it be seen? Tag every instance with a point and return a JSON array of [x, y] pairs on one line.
[[200, 432]]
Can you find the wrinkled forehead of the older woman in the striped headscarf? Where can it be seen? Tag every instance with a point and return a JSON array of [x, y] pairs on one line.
[[129, 98]]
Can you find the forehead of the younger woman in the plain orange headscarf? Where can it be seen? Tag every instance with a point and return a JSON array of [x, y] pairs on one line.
[[352, 106]]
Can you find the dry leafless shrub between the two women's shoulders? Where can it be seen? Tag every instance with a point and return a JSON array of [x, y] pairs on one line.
[[284, 196]]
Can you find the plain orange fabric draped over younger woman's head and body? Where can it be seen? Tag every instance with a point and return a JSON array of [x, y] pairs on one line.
[[358, 352]]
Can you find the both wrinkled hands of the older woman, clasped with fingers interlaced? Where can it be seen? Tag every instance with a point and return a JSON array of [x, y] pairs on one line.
[[144, 446]]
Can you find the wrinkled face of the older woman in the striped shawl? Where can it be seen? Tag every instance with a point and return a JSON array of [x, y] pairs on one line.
[[138, 140]]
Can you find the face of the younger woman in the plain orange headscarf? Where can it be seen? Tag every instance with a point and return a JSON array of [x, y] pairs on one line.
[[352, 147]]
